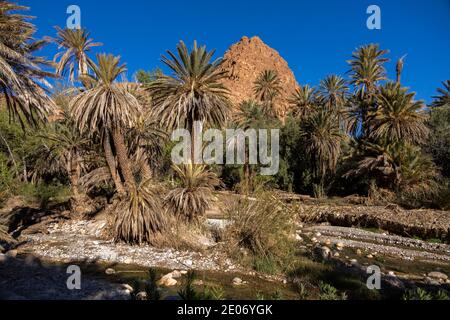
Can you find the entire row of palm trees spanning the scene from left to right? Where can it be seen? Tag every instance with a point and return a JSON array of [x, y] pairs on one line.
[[111, 134]]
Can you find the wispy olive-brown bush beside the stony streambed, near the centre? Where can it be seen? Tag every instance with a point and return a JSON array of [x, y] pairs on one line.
[[261, 230]]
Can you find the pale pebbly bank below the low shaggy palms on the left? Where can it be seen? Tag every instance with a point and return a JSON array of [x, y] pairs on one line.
[[82, 241]]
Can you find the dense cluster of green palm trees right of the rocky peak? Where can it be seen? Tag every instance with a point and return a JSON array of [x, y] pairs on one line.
[[378, 122]]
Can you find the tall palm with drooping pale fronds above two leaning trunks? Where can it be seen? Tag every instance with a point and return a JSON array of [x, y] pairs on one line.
[[107, 109]]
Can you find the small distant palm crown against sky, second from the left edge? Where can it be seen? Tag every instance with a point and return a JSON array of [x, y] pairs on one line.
[[76, 45]]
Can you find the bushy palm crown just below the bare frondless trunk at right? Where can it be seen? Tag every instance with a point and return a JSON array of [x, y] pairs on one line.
[[398, 116]]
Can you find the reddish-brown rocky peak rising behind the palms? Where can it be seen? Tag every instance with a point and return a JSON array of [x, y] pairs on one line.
[[246, 60]]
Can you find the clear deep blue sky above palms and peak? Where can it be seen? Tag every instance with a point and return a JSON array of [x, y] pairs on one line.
[[316, 37]]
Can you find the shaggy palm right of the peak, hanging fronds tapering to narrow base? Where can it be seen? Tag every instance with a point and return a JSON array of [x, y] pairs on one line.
[[323, 139]]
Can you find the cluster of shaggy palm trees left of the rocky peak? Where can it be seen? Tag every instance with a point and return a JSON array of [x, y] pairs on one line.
[[105, 130]]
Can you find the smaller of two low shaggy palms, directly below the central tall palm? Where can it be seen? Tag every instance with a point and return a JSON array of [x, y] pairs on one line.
[[194, 193]]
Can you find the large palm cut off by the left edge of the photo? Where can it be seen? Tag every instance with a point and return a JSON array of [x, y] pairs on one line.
[[21, 76]]
